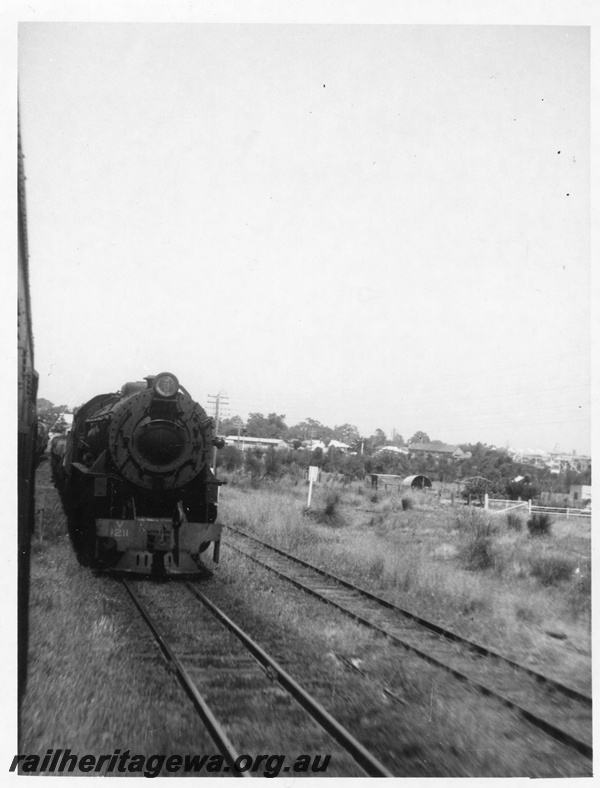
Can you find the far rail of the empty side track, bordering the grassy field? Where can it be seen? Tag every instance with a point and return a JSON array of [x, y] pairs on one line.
[[485, 651]]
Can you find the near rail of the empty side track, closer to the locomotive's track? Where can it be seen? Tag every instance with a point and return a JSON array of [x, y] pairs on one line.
[[552, 730]]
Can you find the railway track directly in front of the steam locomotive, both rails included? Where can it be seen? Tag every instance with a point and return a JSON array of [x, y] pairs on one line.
[[195, 673]]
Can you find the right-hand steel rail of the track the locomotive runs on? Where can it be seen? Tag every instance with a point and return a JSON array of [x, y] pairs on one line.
[[361, 755]]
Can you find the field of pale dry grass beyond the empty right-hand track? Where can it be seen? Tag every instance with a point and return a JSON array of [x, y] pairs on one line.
[[471, 571]]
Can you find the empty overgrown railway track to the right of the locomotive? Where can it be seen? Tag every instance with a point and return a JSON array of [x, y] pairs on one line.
[[560, 711]]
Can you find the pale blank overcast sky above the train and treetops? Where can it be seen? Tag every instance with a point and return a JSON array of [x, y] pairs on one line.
[[386, 225]]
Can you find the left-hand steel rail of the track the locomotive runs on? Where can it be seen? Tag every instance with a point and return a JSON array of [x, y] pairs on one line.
[[213, 726]]
